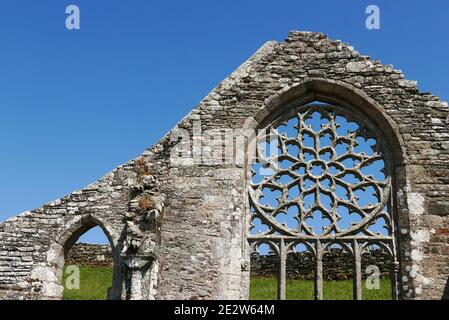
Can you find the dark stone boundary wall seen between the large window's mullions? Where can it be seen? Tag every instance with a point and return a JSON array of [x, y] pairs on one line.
[[337, 265]]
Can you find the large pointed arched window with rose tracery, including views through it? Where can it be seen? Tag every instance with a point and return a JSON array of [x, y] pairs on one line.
[[321, 199]]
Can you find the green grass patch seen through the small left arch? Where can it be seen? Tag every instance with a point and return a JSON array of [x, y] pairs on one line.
[[94, 284]]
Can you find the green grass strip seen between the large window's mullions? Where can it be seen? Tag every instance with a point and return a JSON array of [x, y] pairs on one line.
[[266, 289]]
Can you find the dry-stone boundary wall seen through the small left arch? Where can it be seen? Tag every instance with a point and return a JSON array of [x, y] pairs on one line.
[[85, 254]]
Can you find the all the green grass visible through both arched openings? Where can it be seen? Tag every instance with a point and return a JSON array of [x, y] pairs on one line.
[[95, 281]]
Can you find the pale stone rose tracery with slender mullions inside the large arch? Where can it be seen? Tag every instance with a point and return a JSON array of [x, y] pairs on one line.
[[321, 178]]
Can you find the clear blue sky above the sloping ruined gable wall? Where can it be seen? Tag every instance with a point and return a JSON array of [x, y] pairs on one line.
[[75, 104]]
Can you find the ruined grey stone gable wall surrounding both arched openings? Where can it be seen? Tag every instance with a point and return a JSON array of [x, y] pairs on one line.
[[178, 228]]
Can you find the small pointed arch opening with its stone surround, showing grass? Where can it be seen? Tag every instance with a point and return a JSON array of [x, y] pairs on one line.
[[88, 271]]
